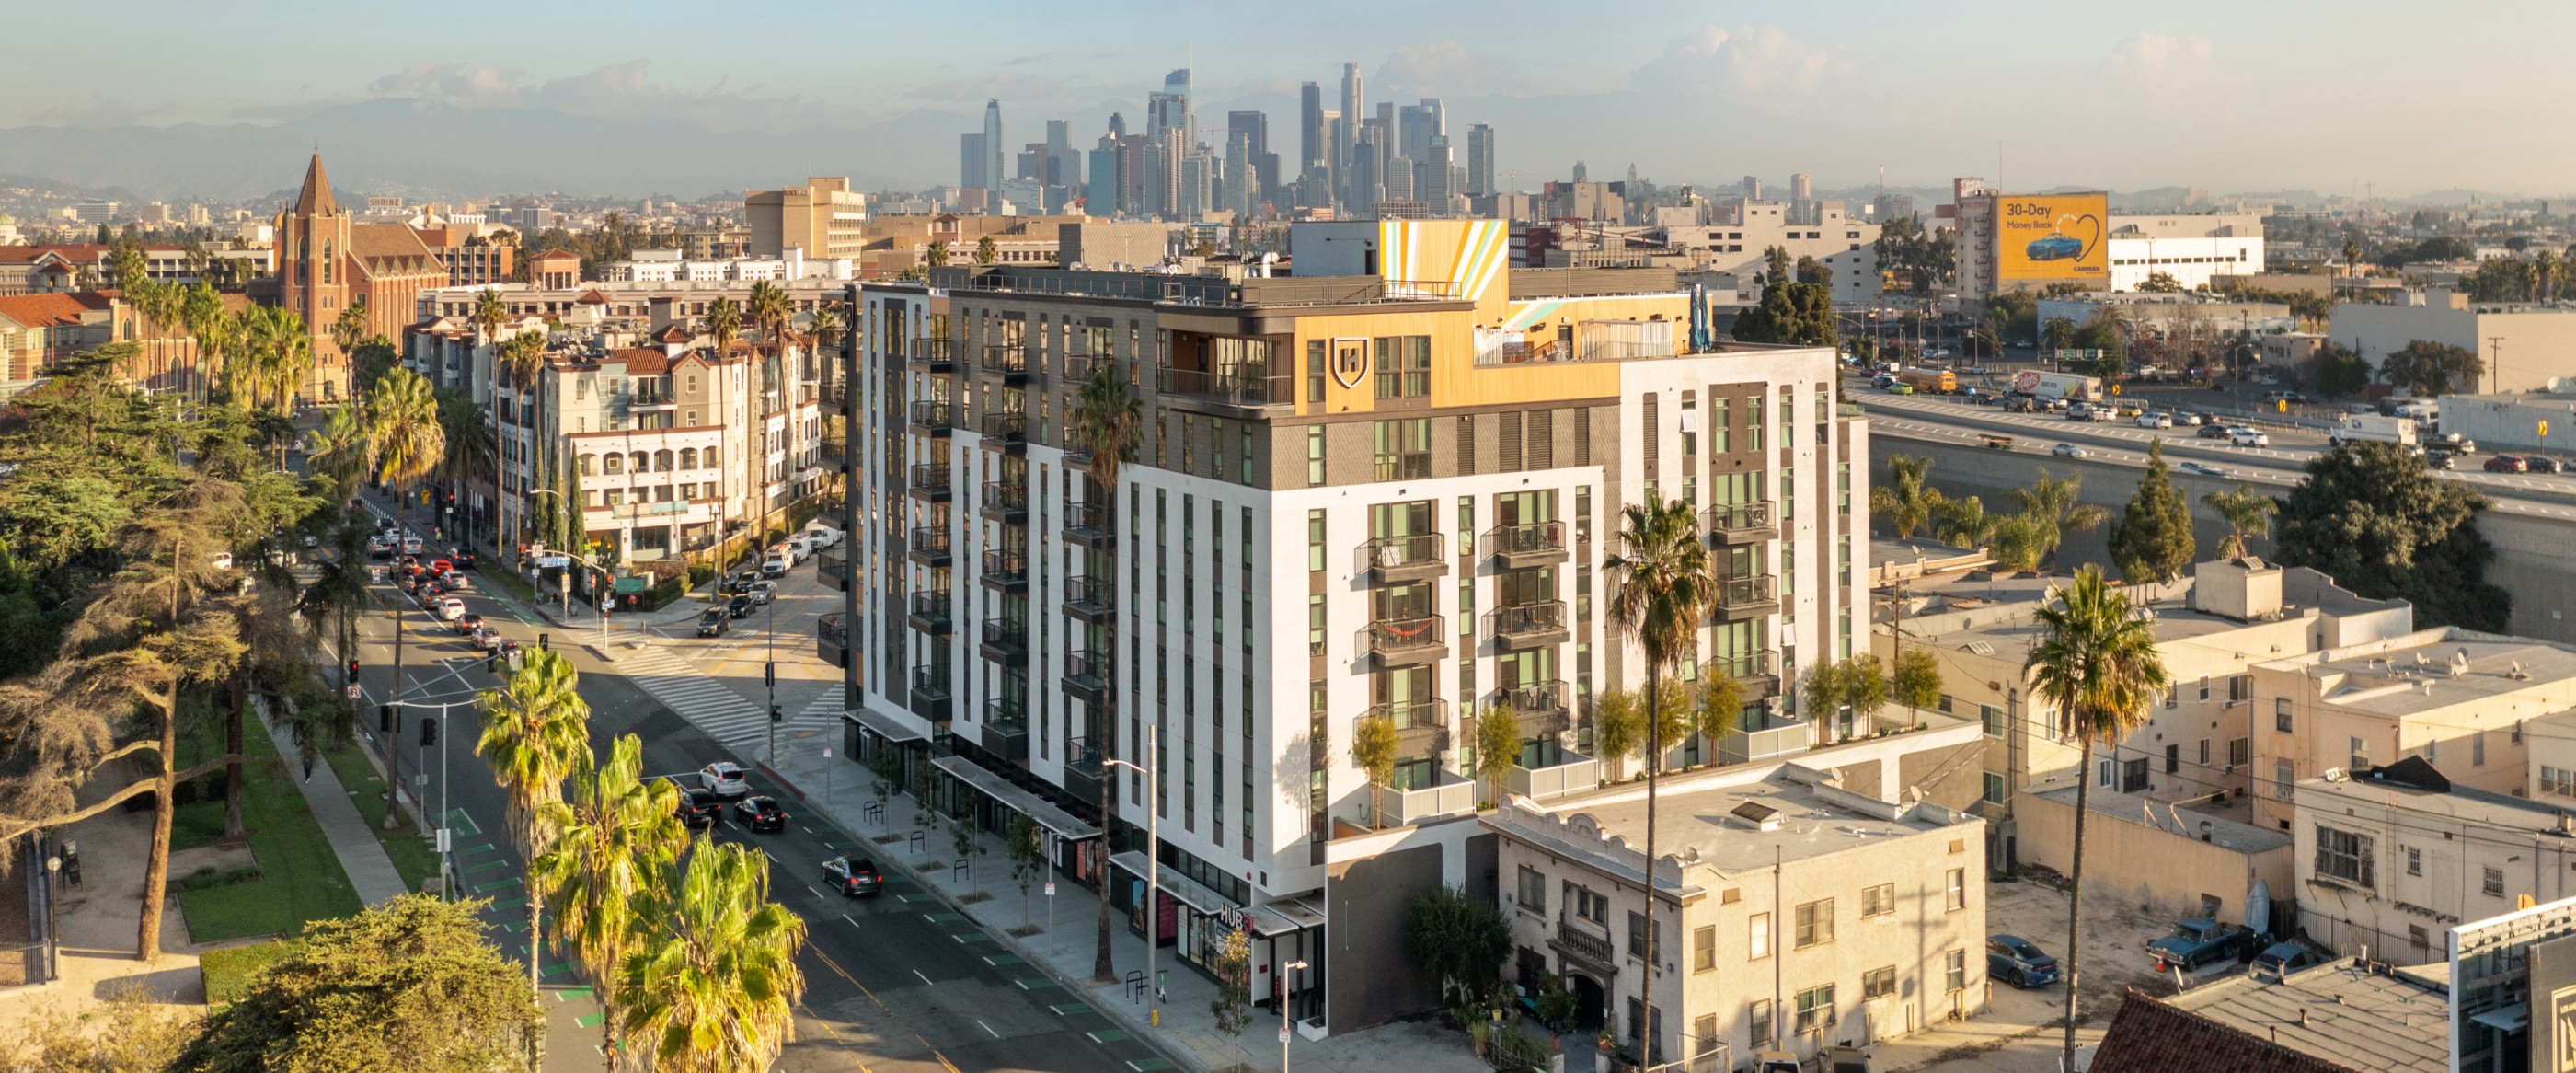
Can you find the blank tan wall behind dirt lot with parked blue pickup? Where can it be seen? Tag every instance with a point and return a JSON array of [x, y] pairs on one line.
[[2139, 863]]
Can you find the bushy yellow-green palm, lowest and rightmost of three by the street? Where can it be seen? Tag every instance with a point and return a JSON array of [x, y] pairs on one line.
[[712, 979]]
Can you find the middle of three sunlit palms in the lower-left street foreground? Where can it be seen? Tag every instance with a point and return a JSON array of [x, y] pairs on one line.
[[612, 840]]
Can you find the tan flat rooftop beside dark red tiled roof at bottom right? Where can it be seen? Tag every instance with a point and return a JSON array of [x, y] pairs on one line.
[[2356, 1015]]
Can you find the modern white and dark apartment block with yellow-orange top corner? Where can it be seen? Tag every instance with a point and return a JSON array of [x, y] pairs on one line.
[[1379, 491]]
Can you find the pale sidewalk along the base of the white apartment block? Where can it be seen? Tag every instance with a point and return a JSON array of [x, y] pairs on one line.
[[1070, 930]]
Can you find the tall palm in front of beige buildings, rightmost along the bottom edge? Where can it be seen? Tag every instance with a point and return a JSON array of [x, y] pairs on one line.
[[2098, 664]]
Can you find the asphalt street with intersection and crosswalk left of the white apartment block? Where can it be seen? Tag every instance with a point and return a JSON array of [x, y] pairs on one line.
[[893, 981]]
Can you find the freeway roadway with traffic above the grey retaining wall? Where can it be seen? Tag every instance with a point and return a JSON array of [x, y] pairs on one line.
[[1949, 422]]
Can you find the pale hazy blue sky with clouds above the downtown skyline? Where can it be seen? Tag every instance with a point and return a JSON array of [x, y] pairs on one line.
[[2358, 97]]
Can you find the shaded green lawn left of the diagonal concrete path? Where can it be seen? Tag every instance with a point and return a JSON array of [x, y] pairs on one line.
[[300, 876]]
